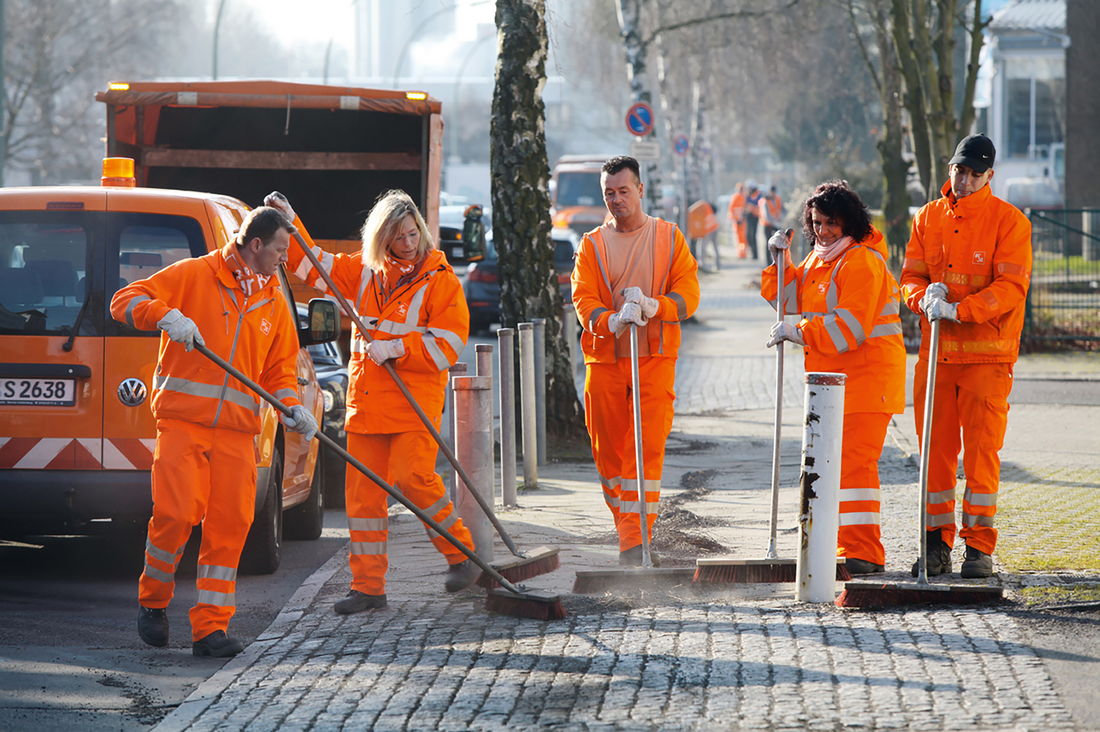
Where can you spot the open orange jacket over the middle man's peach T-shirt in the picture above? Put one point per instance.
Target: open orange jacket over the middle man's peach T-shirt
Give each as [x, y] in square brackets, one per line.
[675, 286]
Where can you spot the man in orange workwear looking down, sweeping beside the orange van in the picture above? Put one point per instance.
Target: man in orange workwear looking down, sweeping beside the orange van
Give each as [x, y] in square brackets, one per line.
[205, 462]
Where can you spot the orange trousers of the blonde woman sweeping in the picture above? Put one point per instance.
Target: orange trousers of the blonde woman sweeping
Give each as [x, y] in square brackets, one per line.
[406, 462]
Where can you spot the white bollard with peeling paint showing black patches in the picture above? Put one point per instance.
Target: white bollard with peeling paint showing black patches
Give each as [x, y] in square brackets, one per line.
[819, 519]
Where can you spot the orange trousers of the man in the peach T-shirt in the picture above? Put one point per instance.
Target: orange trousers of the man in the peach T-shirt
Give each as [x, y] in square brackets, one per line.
[609, 414]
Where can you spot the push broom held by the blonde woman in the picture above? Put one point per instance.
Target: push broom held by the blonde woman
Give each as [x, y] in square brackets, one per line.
[524, 565]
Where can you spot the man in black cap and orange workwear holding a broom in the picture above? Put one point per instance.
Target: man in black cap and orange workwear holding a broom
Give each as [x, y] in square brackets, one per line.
[969, 265]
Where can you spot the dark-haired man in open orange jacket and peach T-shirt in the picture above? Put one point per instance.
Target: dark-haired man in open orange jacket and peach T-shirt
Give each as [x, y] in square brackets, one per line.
[636, 269]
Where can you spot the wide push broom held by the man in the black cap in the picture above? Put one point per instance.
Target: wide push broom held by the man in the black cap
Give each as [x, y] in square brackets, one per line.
[921, 593]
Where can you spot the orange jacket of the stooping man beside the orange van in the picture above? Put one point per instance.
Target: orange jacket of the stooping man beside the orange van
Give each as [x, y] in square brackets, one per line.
[255, 334]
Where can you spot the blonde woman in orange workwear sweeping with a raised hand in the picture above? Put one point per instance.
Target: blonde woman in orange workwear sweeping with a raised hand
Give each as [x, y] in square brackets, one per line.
[408, 294]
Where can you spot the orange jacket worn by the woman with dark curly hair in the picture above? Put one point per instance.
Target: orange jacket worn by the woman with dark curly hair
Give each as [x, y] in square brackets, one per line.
[851, 322]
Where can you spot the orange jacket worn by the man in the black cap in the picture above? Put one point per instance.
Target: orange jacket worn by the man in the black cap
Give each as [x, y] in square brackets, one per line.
[981, 248]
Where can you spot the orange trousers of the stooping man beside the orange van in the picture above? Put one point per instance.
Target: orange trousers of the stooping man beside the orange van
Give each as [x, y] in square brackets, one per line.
[208, 476]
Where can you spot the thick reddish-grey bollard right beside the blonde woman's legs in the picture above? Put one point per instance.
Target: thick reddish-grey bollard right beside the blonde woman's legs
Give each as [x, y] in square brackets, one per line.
[474, 431]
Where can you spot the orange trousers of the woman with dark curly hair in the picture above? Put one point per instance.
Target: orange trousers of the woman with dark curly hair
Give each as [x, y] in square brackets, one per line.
[861, 534]
